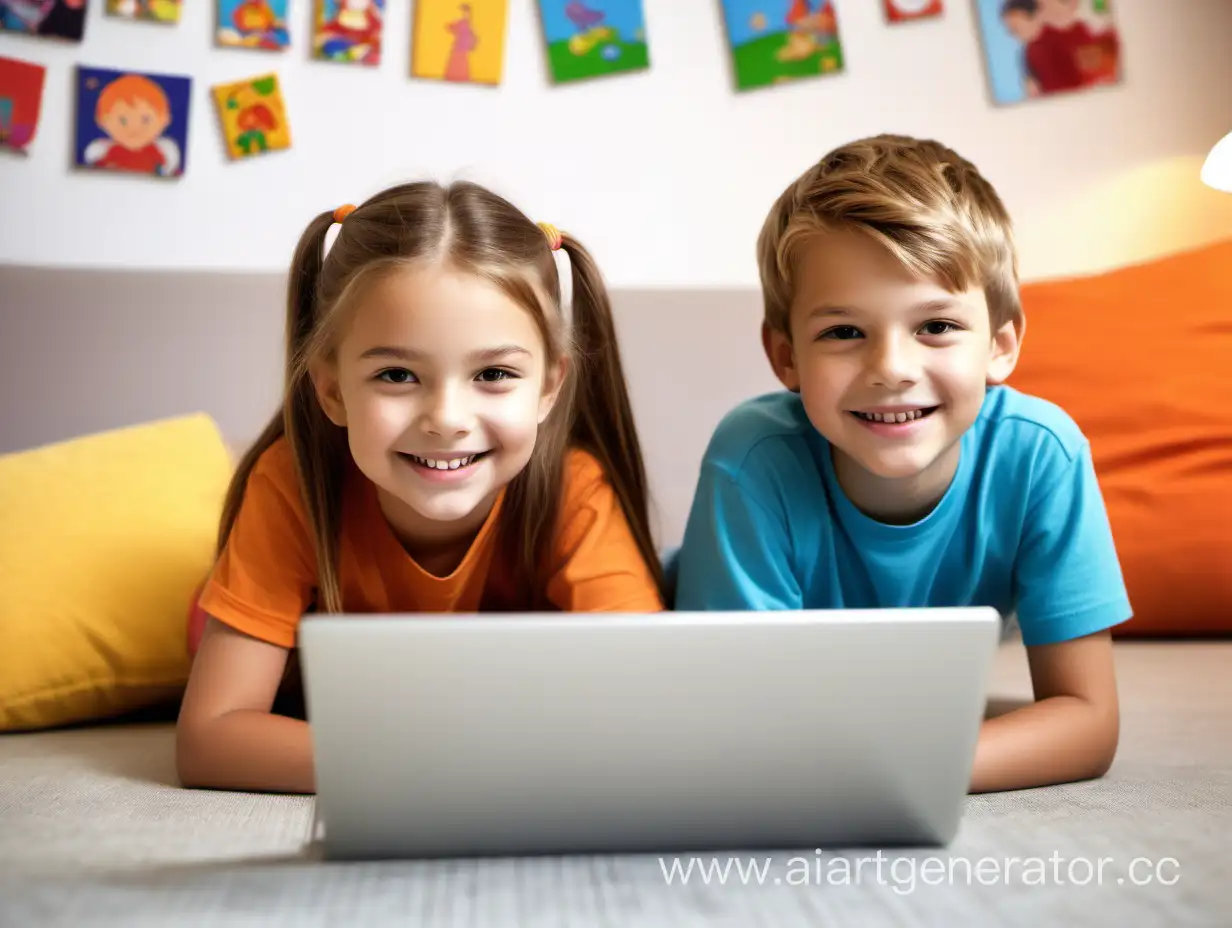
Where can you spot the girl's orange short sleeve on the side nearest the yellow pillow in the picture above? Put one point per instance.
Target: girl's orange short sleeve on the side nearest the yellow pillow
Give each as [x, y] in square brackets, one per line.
[265, 577]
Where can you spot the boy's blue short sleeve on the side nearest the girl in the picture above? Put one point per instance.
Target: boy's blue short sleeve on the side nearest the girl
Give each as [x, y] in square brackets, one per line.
[736, 555]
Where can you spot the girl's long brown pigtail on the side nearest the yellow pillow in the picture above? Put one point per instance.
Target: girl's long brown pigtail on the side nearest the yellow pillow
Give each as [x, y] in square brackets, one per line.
[317, 446]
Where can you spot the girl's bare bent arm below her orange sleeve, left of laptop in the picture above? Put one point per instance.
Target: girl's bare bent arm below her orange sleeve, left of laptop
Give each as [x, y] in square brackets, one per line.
[226, 736]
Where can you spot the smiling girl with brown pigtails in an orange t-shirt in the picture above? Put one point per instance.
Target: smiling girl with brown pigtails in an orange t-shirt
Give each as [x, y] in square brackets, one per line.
[448, 443]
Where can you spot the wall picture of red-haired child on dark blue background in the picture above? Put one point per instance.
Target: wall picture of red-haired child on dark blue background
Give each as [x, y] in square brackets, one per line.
[132, 123]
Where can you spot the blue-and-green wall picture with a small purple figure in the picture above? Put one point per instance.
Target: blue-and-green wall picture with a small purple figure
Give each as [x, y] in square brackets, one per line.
[588, 39]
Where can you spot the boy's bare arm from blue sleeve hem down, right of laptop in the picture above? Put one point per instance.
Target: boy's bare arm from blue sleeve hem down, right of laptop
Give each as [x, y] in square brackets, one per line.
[1069, 734]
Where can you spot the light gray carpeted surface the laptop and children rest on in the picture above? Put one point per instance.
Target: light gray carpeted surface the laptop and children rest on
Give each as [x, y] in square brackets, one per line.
[94, 831]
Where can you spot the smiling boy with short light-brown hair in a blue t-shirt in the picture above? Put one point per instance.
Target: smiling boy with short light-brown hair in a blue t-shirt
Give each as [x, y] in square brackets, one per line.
[896, 470]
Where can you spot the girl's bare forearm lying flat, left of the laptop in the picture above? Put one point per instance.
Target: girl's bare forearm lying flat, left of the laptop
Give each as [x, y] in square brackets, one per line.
[247, 751]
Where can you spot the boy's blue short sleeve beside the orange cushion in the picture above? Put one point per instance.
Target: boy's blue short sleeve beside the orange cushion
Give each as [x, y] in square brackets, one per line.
[1069, 577]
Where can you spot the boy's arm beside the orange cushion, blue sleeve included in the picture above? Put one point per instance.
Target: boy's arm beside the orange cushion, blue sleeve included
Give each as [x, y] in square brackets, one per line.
[1070, 593]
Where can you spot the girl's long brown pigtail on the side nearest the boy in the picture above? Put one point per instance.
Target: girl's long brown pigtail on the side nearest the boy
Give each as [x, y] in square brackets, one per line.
[603, 416]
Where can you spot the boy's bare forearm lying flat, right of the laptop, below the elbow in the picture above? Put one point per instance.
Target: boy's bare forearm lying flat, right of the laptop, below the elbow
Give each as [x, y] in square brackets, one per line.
[1058, 740]
